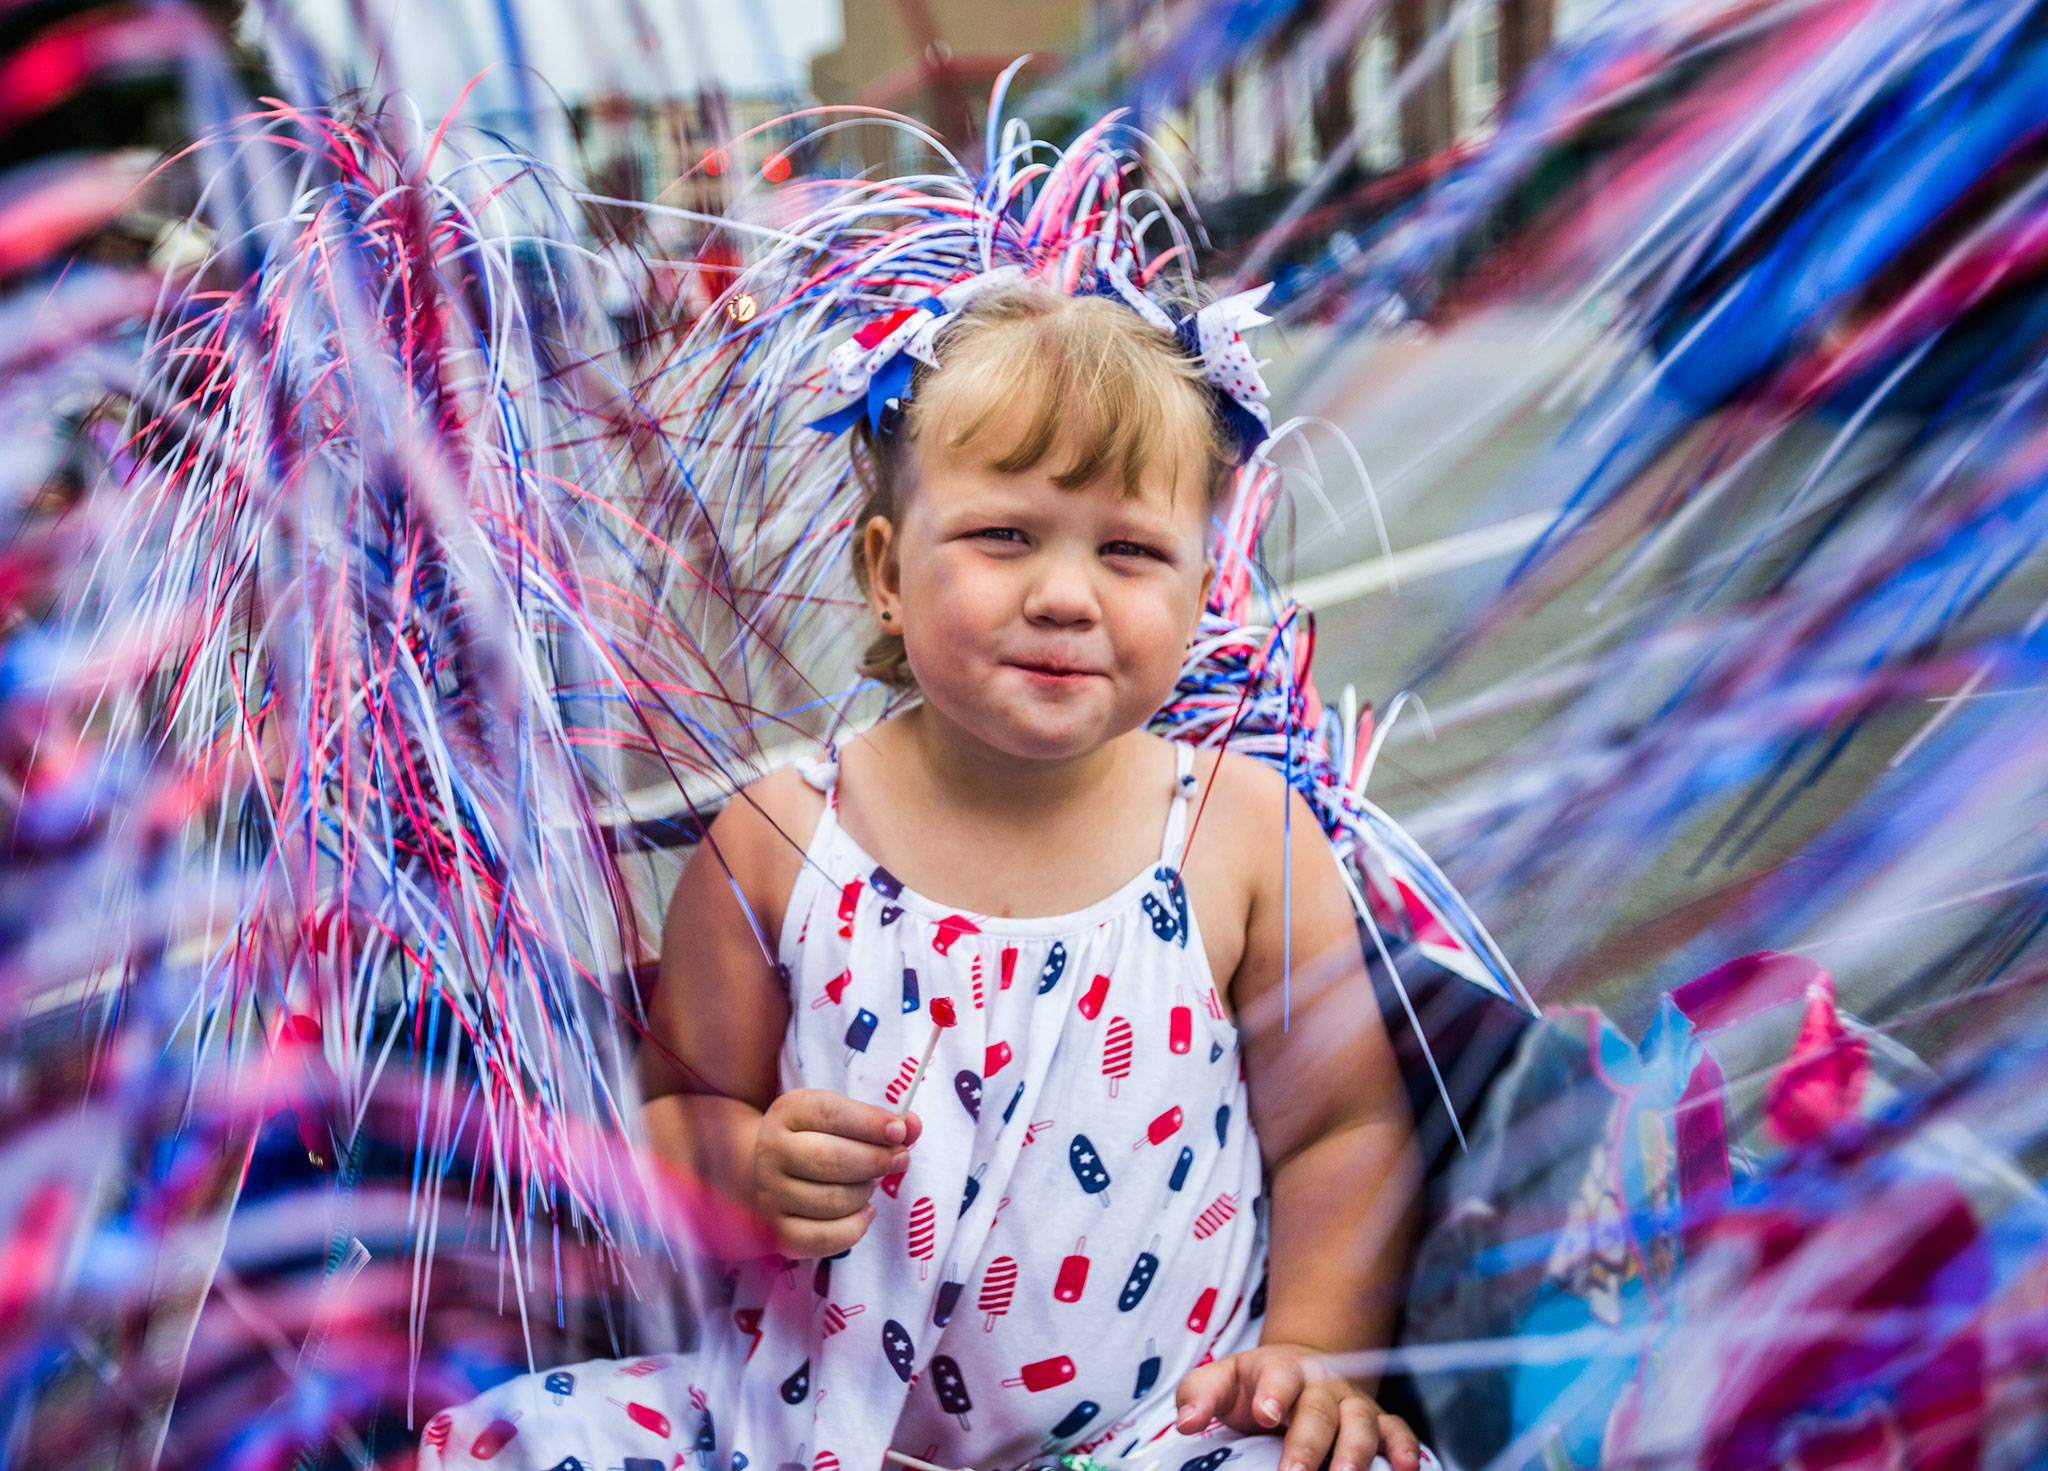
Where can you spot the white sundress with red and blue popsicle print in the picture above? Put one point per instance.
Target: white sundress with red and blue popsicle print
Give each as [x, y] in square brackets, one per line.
[1080, 1226]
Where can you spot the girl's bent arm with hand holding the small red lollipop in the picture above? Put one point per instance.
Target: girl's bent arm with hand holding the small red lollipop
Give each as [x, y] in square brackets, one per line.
[806, 1161]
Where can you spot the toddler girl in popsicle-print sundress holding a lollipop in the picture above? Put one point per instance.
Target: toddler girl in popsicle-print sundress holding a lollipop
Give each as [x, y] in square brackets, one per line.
[1127, 1212]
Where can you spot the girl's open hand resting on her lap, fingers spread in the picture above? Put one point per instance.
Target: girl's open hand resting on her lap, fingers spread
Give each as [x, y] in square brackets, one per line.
[1283, 1386]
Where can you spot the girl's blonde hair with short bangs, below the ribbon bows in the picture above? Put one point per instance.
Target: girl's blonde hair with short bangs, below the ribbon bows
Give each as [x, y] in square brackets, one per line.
[1097, 376]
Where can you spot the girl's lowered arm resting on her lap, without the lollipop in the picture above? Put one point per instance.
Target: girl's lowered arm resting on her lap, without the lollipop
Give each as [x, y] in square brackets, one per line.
[1340, 1154]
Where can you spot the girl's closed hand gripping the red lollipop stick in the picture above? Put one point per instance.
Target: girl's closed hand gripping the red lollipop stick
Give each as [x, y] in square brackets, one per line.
[816, 1163]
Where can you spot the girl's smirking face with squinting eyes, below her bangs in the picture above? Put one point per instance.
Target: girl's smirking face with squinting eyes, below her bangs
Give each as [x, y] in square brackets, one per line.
[1043, 622]
